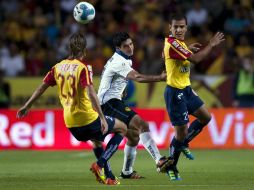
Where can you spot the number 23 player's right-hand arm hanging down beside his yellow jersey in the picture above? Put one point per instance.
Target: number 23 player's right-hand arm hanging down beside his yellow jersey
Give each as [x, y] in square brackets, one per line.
[96, 105]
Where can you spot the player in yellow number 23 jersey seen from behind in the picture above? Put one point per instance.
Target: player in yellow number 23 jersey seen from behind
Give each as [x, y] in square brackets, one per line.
[82, 112]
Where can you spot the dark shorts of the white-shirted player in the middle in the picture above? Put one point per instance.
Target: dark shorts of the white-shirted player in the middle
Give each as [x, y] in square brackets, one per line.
[117, 109]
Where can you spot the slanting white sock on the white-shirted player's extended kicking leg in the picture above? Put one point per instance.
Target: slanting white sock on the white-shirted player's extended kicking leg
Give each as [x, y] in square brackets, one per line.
[147, 141]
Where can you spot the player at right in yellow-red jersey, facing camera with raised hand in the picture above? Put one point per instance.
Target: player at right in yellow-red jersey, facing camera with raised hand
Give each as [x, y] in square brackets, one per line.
[180, 99]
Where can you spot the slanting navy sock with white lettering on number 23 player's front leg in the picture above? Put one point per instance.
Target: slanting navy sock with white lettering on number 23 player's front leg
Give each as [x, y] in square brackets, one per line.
[111, 148]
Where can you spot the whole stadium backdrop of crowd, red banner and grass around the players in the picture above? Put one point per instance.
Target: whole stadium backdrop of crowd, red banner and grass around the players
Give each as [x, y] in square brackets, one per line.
[33, 37]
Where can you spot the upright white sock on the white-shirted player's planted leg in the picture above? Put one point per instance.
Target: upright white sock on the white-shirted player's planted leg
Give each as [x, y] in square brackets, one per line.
[129, 158]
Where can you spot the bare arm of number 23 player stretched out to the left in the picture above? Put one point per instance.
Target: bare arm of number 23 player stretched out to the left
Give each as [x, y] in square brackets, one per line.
[22, 112]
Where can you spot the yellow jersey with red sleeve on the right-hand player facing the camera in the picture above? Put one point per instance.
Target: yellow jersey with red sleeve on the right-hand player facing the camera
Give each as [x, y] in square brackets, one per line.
[176, 54]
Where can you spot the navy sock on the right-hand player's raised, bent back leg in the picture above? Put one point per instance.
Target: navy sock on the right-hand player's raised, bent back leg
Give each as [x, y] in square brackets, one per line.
[194, 129]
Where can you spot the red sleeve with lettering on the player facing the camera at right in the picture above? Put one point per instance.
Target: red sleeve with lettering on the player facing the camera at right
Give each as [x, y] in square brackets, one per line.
[177, 50]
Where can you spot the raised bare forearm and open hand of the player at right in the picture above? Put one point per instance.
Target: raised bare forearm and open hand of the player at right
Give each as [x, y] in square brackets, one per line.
[215, 40]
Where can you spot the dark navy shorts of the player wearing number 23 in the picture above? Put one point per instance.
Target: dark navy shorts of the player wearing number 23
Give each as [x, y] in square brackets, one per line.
[92, 131]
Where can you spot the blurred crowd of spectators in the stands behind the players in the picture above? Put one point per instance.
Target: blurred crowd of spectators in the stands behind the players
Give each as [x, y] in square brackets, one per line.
[34, 33]
